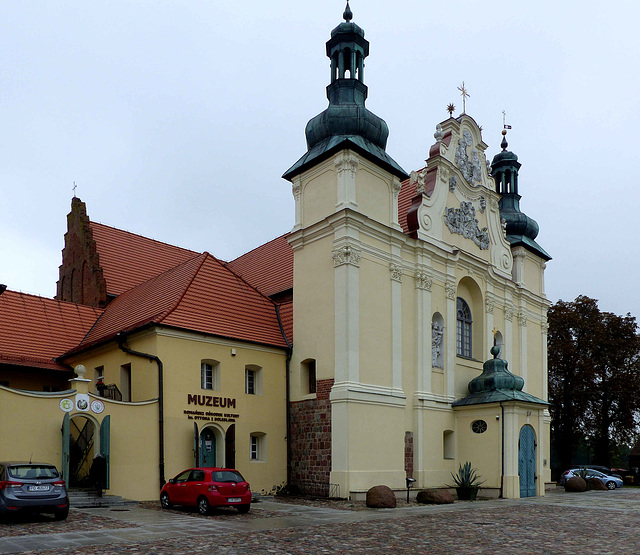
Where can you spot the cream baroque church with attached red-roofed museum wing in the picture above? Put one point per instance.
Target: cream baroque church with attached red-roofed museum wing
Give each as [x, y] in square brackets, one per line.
[349, 352]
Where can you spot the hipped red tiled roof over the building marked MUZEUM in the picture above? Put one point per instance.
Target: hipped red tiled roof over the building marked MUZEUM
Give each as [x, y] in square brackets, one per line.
[201, 295]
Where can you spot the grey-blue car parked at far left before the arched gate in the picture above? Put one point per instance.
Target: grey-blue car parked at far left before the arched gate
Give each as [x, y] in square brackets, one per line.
[32, 487]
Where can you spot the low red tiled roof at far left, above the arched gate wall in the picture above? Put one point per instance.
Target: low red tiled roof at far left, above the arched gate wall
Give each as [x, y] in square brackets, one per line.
[35, 329]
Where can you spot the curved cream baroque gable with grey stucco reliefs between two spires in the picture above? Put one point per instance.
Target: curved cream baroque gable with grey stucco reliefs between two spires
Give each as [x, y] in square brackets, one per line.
[456, 202]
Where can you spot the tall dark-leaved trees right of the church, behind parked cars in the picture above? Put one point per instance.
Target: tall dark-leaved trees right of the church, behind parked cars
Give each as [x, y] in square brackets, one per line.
[594, 379]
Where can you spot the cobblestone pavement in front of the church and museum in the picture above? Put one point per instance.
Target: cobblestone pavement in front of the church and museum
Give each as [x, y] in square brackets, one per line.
[591, 522]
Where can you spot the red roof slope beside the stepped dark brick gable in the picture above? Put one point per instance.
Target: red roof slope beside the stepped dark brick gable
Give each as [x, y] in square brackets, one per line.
[128, 259]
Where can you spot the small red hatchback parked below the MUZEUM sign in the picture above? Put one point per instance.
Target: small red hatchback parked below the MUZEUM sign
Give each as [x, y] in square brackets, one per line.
[207, 487]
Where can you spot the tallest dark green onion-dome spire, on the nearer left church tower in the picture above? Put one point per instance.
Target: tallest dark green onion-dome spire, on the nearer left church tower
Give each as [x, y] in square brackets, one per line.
[346, 123]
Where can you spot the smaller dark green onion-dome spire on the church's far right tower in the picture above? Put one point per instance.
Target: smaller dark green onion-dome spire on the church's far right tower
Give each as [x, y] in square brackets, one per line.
[521, 229]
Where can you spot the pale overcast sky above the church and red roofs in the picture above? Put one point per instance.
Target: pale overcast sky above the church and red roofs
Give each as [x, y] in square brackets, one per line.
[176, 119]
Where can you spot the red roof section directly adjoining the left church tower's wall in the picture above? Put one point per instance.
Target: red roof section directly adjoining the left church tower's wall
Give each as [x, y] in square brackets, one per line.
[269, 267]
